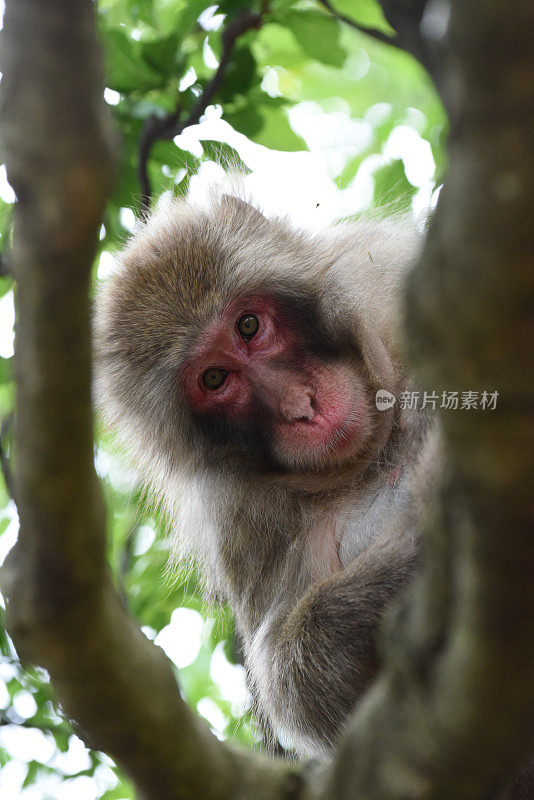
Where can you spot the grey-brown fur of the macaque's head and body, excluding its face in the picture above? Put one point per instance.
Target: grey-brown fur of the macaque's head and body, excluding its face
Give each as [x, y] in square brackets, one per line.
[307, 557]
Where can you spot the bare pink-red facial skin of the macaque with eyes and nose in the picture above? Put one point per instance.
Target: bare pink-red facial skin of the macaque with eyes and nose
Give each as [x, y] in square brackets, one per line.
[252, 364]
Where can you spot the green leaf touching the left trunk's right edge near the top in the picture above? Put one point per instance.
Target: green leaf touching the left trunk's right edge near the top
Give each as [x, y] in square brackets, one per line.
[126, 70]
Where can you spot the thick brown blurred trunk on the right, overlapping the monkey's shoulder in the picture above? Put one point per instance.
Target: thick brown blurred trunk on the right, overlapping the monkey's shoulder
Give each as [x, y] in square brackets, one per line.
[453, 712]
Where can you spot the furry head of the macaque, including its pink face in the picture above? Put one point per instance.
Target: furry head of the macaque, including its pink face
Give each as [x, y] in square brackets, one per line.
[232, 343]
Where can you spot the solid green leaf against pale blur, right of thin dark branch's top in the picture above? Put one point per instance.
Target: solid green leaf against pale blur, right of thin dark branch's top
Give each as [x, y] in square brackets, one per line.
[318, 35]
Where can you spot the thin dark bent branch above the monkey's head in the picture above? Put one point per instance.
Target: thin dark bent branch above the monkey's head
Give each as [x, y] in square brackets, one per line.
[170, 125]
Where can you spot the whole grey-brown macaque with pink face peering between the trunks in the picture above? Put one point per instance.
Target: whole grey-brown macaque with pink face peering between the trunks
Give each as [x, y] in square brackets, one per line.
[241, 359]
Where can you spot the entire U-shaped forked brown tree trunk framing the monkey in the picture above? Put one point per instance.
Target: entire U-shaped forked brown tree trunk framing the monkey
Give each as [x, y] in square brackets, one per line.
[453, 709]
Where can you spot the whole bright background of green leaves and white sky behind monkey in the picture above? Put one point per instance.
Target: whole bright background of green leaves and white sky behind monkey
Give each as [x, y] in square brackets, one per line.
[327, 122]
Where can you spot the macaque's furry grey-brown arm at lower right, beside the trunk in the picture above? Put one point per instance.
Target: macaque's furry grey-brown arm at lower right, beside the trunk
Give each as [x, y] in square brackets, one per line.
[325, 650]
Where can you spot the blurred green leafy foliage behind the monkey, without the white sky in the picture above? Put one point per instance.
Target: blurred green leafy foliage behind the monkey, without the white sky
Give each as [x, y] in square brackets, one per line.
[160, 55]
